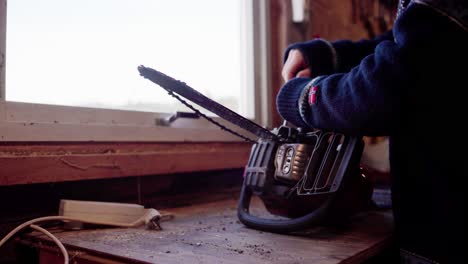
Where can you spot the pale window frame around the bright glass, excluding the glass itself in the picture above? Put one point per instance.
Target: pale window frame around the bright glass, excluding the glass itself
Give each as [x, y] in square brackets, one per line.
[30, 122]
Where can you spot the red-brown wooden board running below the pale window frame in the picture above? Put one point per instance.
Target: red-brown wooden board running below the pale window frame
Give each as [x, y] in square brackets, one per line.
[69, 162]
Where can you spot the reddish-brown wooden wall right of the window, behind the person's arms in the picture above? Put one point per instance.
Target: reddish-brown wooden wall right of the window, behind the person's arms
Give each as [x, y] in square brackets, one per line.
[328, 19]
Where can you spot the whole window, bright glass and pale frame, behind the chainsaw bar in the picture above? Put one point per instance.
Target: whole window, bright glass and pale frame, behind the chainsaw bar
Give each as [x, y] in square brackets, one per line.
[70, 69]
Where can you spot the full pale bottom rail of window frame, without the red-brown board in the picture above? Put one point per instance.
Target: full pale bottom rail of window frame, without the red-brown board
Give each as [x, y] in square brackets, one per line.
[27, 122]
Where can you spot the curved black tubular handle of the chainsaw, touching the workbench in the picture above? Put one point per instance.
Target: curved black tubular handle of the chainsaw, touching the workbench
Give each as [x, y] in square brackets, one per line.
[279, 226]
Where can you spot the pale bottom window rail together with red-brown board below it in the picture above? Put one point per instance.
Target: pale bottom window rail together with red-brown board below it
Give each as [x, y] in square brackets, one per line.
[47, 143]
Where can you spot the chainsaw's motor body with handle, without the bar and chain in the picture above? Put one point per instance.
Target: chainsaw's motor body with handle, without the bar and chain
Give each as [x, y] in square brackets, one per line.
[316, 173]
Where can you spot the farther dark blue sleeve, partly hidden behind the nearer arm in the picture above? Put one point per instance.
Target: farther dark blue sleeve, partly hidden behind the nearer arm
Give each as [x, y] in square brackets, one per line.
[325, 57]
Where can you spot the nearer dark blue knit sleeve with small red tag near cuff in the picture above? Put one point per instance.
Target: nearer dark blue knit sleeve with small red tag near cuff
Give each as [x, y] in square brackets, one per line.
[363, 101]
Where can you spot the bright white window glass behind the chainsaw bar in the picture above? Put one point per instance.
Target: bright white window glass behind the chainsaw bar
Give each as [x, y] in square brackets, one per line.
[86, 52]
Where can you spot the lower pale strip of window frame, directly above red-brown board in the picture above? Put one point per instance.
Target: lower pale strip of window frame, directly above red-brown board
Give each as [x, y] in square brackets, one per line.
[46, 132]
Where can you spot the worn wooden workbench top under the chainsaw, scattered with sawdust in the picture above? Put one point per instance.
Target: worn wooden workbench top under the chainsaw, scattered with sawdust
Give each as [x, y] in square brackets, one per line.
[211, 233]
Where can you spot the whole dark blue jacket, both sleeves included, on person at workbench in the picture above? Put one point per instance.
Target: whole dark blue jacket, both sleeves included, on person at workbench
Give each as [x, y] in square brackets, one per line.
[407, 84]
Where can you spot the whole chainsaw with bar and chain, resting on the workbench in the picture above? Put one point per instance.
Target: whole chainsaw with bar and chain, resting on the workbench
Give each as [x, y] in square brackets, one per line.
[305, 177]
